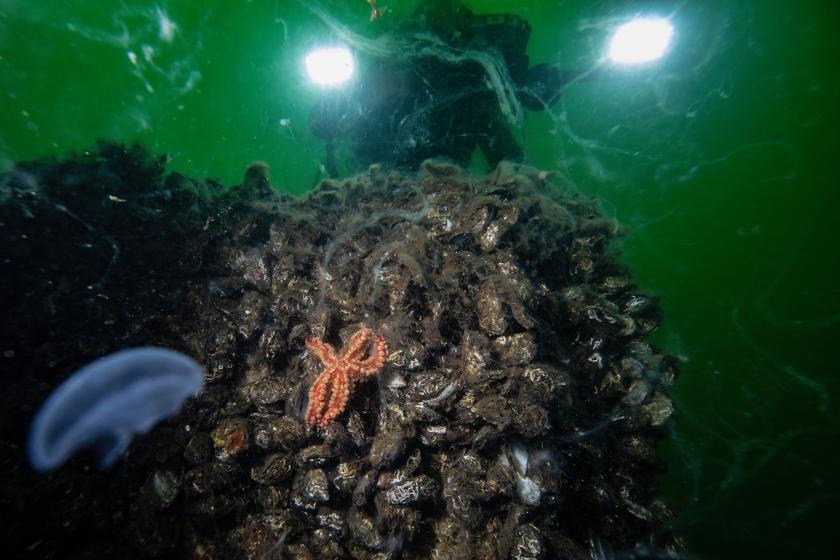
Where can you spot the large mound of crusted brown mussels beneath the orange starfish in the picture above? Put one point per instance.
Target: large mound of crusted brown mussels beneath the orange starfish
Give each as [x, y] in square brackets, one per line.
[517, 416]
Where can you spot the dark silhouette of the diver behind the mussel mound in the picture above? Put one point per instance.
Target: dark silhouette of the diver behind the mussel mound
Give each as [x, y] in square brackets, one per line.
[441, 99]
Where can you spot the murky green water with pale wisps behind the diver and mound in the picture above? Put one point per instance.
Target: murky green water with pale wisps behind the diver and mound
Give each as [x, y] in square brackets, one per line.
[720, 158]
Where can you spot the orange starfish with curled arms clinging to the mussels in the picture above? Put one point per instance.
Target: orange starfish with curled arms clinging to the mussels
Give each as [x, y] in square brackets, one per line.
[330, 393]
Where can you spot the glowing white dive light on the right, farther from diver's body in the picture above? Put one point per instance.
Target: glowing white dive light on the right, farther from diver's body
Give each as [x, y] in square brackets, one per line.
[640, 40]
